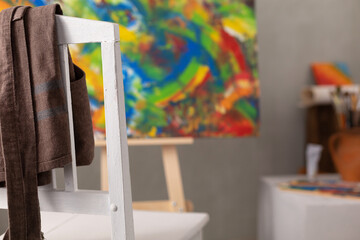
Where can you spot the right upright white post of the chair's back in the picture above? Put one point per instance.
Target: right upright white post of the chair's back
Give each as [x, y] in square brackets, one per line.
[121, 211]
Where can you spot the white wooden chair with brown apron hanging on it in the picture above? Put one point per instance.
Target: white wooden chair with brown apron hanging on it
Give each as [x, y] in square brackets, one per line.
[83, 214]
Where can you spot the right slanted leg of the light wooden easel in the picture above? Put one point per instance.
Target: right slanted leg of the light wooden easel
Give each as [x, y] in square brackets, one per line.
[173, 178]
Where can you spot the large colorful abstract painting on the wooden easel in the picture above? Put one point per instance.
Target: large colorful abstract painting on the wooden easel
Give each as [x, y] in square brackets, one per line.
[190, 66]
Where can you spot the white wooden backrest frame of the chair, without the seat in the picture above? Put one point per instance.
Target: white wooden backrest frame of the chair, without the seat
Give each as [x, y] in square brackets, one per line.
[118, 201]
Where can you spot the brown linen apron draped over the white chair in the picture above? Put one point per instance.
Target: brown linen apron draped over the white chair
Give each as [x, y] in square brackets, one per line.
[34, 125]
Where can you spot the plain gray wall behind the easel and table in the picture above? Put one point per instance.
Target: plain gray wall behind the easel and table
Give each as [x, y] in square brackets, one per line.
[221, 175]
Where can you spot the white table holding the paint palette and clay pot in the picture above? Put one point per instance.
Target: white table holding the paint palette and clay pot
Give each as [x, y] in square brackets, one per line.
[288, 215]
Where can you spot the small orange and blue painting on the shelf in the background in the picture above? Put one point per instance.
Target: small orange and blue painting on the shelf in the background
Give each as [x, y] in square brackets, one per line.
[328, 73]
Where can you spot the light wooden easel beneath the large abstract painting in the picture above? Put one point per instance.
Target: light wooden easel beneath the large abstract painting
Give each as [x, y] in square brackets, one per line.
[176, 201]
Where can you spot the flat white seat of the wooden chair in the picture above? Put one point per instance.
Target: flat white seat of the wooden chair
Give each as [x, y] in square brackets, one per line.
[148, 226]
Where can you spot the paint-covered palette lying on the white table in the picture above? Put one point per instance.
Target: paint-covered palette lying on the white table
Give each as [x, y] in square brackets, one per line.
[329, 188]
